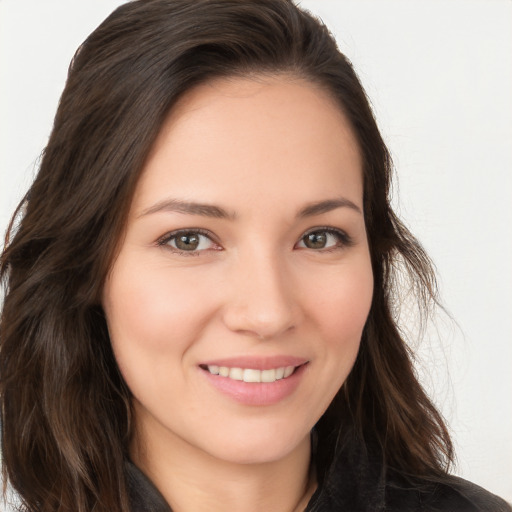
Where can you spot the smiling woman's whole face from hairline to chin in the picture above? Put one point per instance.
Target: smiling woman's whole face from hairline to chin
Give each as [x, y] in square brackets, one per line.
[241, 289]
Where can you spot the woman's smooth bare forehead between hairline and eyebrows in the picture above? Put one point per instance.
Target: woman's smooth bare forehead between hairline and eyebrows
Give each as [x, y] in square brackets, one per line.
[246, 138]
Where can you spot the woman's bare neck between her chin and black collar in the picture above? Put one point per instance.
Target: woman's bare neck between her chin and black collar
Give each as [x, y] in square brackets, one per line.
[193, 480]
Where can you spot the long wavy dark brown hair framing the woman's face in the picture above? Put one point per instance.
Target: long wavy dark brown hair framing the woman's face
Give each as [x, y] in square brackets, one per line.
[66, 414]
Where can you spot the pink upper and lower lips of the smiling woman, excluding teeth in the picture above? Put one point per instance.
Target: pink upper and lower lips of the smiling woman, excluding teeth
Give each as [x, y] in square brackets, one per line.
[257, 393]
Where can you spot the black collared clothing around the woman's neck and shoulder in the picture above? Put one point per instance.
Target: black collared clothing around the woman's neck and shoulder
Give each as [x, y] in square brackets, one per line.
[354, 482]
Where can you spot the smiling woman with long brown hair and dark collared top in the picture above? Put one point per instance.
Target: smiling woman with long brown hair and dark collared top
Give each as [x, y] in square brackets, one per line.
[200, 286]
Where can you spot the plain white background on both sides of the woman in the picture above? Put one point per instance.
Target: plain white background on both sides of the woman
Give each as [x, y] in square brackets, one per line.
[439, 74]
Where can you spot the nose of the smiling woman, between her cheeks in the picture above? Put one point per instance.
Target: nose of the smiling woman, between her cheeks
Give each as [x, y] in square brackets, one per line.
[262, 299]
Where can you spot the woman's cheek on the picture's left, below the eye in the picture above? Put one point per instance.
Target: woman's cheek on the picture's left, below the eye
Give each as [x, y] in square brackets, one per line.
[151, 313]
